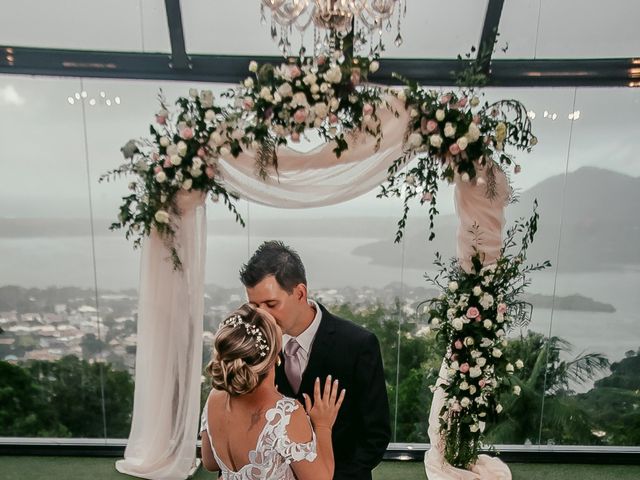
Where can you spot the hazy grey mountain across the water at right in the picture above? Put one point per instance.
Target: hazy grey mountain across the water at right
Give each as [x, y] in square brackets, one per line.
[596, 223]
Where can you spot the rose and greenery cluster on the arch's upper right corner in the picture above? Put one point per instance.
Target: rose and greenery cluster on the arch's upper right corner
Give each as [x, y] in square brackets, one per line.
[453, 135]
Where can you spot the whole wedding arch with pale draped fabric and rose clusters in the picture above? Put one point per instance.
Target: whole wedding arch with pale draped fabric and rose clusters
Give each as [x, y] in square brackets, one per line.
[241, 150]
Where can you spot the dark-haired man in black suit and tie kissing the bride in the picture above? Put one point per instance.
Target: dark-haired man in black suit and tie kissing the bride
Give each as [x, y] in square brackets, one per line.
[316, 344]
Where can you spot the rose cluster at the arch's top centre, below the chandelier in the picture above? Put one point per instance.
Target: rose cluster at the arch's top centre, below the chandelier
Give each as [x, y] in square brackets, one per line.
[276, 104]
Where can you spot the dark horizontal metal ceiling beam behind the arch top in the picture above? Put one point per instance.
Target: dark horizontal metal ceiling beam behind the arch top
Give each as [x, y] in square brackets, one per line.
[614, 72]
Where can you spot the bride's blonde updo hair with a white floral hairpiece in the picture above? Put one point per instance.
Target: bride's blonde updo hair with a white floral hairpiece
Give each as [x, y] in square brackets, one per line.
[245, 348]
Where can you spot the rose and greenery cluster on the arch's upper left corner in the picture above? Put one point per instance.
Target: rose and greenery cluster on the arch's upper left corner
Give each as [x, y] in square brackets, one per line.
[179, 157]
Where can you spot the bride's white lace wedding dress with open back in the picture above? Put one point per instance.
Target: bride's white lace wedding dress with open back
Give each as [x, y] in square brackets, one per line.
[274, 451]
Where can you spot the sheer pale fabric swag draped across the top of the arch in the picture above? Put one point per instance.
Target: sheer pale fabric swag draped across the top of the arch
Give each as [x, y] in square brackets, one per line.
[317, 178]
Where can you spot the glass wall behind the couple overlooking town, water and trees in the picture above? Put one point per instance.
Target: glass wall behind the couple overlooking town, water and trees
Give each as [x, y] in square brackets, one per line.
[68, 286]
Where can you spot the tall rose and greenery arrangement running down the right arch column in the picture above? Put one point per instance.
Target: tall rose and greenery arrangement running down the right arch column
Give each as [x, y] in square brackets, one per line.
[471, 318]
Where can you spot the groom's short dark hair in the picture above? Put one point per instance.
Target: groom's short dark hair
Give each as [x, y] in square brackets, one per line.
[277, 259]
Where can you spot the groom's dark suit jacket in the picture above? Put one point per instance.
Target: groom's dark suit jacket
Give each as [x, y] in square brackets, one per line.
[351, 354]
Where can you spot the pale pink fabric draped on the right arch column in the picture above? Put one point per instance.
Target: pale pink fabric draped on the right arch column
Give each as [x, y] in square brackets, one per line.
[481, 218]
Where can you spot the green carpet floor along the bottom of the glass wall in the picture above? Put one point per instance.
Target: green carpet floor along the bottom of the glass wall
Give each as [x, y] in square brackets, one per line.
[80, 468]
